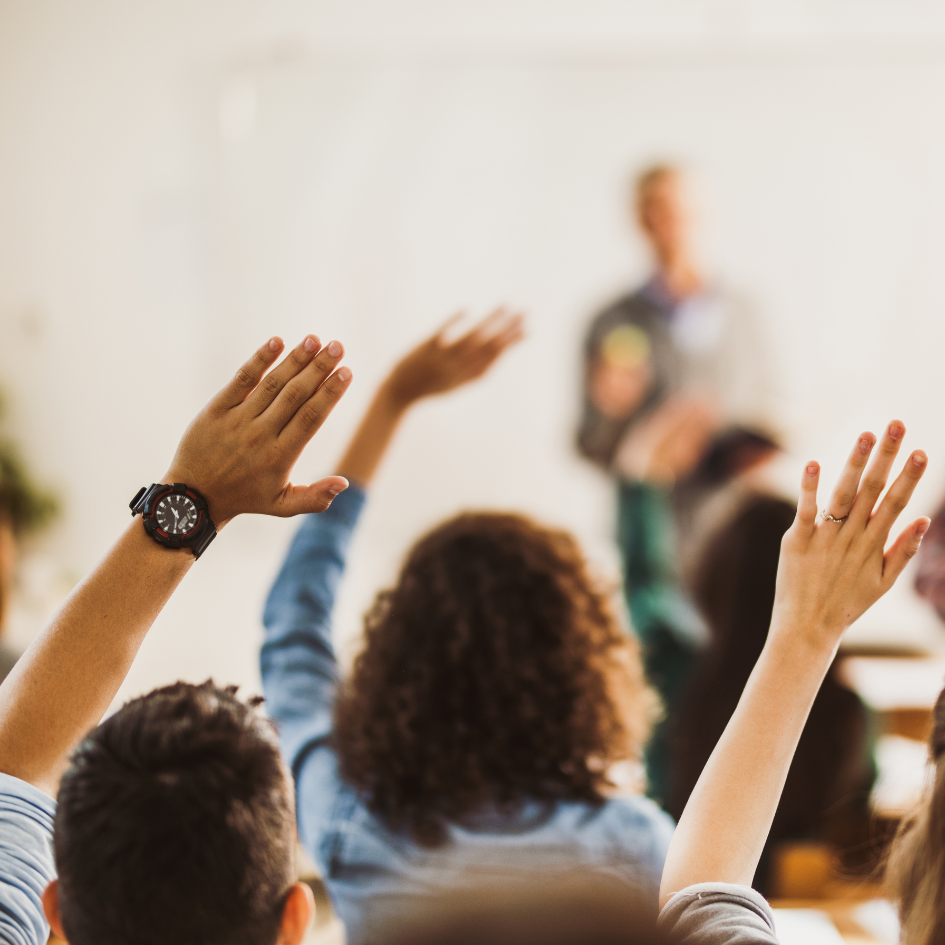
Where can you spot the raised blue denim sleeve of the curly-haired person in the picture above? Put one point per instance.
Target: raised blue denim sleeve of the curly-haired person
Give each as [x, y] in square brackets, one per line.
[299, 669]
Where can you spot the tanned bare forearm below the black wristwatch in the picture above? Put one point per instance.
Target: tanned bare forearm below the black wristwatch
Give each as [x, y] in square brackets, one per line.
[96, 635]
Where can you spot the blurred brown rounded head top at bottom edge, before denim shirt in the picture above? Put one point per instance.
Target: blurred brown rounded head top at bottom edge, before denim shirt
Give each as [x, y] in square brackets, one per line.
[596, 910]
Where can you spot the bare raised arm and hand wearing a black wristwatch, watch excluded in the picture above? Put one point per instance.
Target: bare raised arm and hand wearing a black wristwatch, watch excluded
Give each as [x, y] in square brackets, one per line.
[238, 452]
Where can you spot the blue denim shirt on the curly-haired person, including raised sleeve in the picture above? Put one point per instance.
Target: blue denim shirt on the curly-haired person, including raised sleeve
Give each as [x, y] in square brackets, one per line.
[370, 870]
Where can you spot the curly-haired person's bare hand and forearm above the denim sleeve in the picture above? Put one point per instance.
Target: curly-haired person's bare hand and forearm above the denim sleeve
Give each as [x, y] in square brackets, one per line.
[433, 367]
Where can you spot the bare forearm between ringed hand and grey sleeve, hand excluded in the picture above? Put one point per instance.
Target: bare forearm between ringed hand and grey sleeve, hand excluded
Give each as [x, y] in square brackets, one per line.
[723, 829]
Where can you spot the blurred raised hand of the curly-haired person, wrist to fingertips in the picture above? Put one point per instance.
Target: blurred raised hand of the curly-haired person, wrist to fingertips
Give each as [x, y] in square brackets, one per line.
[438, 365]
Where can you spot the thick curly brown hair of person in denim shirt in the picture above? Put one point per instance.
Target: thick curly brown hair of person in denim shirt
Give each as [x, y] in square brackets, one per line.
[495, 671]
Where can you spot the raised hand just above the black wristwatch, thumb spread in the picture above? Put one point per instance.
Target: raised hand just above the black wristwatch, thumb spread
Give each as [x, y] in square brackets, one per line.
[240, 449]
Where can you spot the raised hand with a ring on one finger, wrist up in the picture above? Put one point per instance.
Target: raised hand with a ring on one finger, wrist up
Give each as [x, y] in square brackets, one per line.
[834, 567]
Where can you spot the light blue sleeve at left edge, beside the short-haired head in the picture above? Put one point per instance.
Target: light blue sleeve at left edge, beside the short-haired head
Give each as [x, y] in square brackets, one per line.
[26, 861]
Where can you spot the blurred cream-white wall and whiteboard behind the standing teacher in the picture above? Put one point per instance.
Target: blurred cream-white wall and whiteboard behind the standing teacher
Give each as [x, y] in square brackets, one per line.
[179, 181]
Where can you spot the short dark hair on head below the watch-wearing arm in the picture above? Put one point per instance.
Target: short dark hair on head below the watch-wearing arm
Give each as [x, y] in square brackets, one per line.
[175, 823]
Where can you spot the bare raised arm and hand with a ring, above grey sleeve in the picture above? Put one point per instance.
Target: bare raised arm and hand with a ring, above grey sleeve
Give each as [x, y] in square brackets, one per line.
[832, 569]
